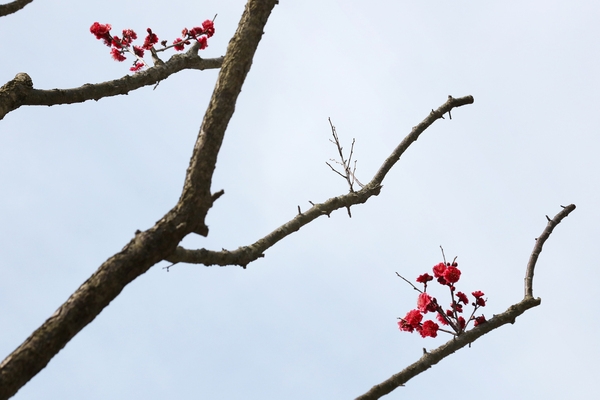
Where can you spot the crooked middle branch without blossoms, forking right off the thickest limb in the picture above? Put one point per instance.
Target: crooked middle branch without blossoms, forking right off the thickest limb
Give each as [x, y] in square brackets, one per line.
[246, 254]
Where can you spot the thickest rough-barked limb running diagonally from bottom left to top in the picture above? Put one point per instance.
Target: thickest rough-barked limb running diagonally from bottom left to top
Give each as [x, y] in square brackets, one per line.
[149, 247]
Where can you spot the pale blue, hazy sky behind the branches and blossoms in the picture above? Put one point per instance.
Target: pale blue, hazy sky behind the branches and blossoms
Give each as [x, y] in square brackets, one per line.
[317, 317]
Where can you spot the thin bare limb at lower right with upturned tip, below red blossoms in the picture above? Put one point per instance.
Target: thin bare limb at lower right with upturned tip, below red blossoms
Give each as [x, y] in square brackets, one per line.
[429, 359]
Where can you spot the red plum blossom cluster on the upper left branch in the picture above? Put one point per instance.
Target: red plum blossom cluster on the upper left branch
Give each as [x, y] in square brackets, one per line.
[119, 46]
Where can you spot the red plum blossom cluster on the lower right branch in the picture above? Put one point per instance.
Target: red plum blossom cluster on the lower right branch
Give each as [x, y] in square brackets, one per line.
[446, 274]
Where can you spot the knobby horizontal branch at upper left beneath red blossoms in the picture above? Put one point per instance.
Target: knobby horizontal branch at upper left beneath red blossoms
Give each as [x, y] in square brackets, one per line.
[20, 92]
